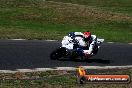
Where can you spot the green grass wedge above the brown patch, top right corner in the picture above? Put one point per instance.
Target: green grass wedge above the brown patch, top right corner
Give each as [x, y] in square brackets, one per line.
[118, 6]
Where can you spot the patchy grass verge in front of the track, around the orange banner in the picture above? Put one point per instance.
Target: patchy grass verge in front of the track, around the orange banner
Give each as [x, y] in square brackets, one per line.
[57, 79]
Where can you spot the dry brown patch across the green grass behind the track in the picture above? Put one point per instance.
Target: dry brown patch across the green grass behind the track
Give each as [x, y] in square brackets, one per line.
[81, 14]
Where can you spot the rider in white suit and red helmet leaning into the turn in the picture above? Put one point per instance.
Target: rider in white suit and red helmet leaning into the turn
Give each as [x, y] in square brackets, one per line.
[87, 42]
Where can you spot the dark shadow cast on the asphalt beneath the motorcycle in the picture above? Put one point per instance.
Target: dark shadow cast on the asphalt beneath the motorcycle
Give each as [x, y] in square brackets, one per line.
[98, 60]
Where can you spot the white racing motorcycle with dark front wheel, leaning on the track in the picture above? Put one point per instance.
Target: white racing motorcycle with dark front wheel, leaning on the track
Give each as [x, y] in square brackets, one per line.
[70, 49]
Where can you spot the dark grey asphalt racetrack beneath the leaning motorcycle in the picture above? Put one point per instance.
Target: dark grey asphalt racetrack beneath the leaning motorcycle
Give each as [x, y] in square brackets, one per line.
[30, 54]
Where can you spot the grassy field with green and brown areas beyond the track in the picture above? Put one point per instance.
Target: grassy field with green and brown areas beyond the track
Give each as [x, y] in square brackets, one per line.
[38, 19]
